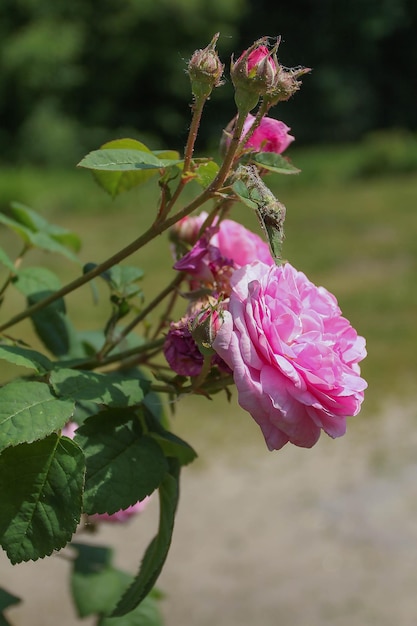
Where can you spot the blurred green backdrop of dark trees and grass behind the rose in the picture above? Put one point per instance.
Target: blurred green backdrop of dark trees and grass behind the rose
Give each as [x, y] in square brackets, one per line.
[74, 75]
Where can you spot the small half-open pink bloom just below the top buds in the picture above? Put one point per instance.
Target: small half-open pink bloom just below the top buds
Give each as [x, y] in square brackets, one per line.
[271, 135]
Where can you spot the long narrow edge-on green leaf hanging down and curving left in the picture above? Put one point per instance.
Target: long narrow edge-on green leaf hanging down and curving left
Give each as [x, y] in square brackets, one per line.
[157, 550]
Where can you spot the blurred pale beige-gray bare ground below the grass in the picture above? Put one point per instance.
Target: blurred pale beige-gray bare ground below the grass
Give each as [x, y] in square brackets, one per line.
[321, 537]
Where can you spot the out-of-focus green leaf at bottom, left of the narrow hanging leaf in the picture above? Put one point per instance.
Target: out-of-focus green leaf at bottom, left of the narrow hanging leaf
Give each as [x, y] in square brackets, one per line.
[95, 584]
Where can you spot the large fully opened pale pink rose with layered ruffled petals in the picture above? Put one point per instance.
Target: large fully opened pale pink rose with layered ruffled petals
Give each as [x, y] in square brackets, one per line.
[294, 357]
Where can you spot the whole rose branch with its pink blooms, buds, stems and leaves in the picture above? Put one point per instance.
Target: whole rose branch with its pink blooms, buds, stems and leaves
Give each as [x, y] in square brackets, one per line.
[85, 436]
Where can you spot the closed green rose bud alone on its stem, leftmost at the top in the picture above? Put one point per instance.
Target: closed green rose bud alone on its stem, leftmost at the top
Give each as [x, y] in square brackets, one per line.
[205, 70]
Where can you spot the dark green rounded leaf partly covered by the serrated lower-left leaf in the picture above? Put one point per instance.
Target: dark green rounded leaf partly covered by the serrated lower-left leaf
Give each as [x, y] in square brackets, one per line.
[123, 465]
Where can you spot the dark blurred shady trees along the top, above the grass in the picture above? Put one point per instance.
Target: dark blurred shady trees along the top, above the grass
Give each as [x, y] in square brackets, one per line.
[73, 75]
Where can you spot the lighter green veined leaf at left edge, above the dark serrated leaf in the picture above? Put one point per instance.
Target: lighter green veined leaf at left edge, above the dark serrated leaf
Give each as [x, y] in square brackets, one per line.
[29, 411]
